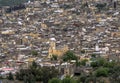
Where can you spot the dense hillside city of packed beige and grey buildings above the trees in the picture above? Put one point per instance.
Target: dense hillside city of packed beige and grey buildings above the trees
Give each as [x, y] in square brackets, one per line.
[56, 26]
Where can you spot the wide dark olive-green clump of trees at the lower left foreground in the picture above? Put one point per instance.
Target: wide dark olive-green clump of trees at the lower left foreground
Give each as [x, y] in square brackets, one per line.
[36, 73]
